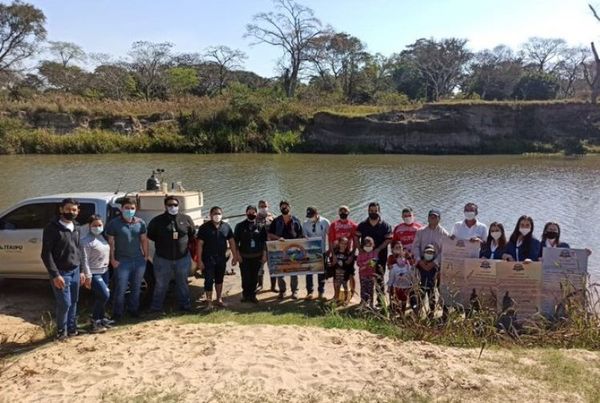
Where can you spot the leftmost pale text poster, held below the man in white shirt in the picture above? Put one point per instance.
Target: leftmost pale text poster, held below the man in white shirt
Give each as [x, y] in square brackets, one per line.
[452, 272]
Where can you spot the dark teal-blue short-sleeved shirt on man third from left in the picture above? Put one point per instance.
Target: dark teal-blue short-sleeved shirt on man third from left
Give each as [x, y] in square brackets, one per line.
[127, 237]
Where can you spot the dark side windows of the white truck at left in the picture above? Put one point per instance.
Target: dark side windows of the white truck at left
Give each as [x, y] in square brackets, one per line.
[38, 215]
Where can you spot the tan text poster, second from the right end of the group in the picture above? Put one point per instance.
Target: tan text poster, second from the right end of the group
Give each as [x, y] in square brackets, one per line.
[519, 287]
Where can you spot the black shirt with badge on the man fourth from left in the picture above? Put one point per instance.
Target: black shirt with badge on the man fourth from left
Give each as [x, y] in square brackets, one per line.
[171, 235]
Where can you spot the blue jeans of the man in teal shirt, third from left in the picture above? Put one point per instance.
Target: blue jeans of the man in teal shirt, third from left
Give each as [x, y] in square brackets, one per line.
[130, 272]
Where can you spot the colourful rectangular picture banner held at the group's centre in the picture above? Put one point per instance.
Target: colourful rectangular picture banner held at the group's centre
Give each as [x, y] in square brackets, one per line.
[295, 256]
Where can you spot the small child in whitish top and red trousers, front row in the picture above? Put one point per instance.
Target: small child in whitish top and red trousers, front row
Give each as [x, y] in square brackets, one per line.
[400, 282]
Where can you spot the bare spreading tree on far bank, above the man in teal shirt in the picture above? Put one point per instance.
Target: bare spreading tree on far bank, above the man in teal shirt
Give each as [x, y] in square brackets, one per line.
[148, 63]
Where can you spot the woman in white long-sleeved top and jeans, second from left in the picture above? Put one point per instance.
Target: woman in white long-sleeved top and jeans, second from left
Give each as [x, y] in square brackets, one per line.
[95, 258]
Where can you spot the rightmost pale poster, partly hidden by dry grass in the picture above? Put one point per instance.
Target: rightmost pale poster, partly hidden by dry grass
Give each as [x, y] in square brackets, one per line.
[564, 273]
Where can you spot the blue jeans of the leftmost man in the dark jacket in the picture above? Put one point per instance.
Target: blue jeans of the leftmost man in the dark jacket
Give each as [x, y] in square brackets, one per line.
[66, 301]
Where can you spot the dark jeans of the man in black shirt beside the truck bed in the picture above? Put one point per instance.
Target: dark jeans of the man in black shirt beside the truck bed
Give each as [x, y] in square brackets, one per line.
[164, 269]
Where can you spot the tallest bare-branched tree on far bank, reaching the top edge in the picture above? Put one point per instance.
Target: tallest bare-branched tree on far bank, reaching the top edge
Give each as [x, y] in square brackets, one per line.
[292, 29]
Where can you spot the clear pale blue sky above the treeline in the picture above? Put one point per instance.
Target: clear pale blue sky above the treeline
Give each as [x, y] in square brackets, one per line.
[386, 26]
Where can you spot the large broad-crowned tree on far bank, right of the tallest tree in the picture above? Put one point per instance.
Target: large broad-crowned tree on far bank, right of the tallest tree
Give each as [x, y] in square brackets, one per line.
[440, 63]
